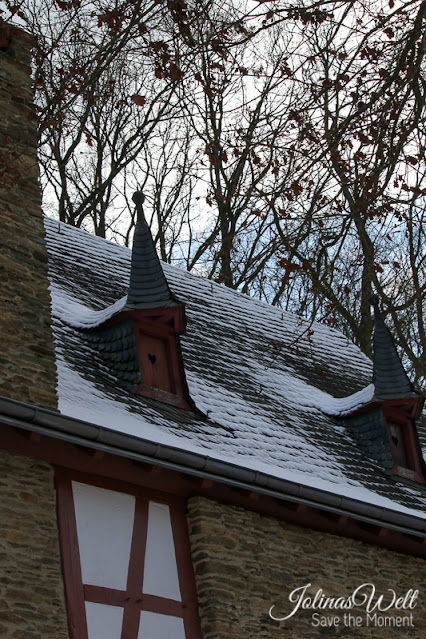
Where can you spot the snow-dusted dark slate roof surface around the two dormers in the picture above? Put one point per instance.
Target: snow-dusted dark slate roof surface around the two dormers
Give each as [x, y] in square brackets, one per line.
[272, 389]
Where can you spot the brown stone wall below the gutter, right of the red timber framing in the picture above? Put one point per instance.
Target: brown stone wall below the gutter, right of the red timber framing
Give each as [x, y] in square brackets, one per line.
[245, 563]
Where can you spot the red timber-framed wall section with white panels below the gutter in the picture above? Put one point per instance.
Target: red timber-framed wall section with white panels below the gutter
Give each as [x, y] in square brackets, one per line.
[127, 567]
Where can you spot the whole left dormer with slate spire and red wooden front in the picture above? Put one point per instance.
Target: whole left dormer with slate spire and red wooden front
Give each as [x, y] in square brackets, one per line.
[139, 343]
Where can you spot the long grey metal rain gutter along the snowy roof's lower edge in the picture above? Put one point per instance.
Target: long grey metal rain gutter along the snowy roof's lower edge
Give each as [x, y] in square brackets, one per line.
[69, 429]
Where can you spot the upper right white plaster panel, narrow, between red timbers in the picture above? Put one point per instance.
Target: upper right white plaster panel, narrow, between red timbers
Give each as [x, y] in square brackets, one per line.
[160, 574]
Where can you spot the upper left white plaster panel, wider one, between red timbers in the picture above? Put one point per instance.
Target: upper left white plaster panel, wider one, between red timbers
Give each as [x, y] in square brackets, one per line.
[104, 528]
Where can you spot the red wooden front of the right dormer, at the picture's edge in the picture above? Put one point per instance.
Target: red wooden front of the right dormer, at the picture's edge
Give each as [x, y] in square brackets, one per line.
[399, 419]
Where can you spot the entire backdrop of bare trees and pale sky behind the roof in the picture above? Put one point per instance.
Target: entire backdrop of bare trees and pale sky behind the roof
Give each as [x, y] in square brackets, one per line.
[281, 145]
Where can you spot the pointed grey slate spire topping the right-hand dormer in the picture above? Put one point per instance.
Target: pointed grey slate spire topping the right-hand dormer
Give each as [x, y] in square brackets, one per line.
[389, 377]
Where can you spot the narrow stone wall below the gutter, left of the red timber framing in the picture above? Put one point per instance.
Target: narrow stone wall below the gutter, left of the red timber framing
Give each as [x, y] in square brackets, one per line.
[32, 604]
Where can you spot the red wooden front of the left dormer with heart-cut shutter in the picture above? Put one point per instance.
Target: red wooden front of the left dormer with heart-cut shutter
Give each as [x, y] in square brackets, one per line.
[156, 335]
